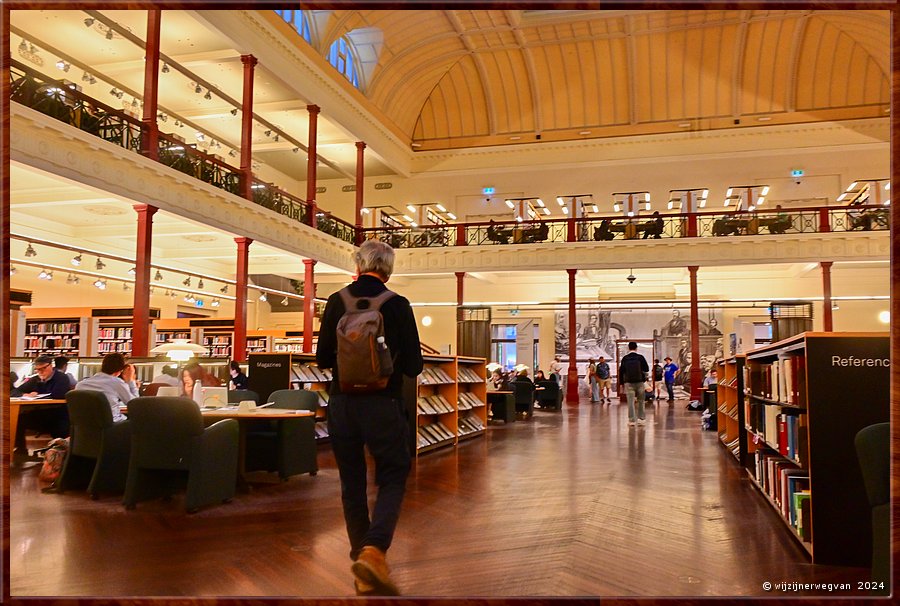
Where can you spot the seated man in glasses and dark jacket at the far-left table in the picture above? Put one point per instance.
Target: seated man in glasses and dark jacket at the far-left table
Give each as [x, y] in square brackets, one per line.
[52, 420]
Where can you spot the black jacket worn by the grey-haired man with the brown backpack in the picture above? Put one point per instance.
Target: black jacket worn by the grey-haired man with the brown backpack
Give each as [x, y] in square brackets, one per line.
[400, 334]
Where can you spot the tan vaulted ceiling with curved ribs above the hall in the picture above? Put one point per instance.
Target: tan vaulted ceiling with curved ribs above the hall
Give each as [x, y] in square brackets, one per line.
[461, 78]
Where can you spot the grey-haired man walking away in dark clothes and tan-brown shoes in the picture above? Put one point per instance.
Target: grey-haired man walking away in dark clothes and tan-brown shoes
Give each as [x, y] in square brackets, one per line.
[376, 420]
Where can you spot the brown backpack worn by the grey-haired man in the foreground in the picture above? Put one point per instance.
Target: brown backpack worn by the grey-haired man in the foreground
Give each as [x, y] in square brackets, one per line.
[363, 359]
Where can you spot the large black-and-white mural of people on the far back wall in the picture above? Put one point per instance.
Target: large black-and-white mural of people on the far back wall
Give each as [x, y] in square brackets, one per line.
[597, 330]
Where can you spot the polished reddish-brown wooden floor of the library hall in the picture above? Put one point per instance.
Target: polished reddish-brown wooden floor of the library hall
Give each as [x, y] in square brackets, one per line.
[566, 504]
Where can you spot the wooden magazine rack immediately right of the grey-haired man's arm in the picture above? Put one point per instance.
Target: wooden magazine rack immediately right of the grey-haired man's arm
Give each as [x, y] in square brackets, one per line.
[436, 404]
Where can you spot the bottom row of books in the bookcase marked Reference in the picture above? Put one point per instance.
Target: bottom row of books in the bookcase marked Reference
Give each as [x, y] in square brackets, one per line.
[788, 486]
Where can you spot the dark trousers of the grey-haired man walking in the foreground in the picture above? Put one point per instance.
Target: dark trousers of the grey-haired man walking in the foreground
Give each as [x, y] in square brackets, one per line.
[380, 424]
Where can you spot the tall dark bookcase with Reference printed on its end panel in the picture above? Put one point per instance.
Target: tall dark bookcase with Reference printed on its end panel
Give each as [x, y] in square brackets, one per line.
[806, 398]
